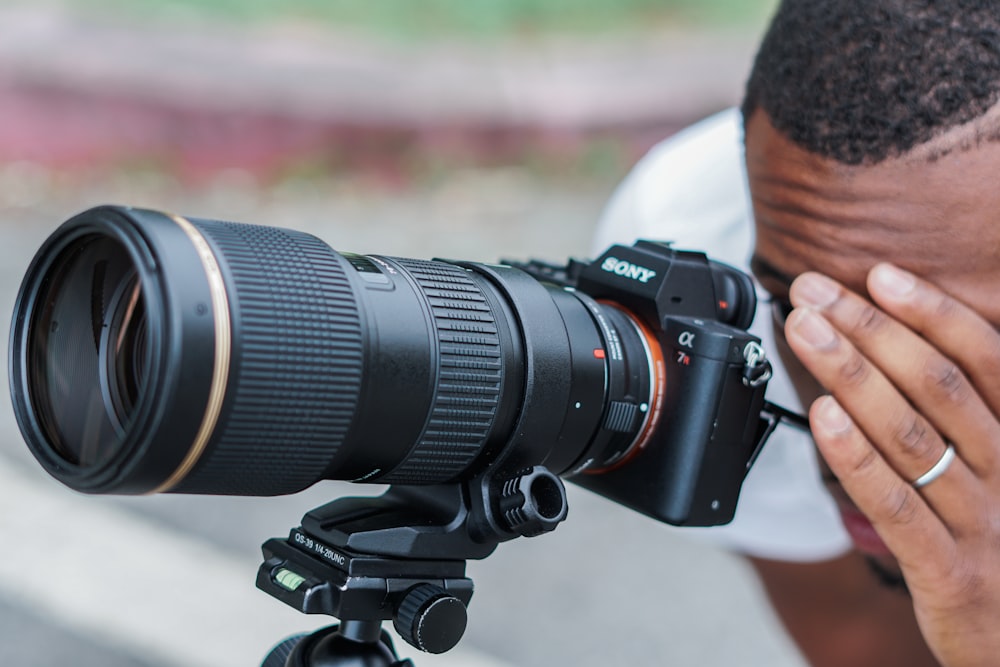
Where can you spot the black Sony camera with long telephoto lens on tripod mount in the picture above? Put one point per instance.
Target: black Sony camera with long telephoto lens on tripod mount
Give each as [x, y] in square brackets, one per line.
[156, 353]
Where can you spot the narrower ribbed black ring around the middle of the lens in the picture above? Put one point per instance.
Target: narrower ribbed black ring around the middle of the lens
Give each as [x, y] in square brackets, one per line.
[470, 369]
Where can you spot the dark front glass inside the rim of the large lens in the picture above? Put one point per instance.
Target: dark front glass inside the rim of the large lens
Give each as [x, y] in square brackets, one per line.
[88, 350]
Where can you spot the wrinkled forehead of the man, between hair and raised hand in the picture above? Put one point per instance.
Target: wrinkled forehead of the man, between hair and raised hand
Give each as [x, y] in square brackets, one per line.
[931, 217]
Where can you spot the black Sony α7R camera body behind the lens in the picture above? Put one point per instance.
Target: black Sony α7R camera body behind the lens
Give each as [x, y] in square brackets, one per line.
[690, 468]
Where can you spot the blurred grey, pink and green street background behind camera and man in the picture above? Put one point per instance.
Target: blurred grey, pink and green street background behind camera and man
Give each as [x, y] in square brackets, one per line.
[472, 129]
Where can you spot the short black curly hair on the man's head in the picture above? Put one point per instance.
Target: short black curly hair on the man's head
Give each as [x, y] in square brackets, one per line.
[860, 81]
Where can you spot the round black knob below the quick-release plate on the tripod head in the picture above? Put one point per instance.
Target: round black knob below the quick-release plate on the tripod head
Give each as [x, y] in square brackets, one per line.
[430, 619]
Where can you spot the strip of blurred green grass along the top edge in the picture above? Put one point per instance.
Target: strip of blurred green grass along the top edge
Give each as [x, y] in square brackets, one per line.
[416, 20]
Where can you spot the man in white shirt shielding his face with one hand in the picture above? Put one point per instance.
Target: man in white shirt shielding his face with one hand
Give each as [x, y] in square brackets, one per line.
[872, 155]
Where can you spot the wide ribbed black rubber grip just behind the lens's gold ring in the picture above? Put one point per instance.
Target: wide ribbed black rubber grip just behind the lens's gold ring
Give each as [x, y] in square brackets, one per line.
[297, 365]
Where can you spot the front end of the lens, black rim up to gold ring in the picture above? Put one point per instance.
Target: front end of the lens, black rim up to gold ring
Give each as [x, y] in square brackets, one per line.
[182, 351]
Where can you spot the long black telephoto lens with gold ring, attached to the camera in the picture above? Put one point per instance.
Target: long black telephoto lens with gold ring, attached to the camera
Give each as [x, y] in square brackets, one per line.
[152, 353]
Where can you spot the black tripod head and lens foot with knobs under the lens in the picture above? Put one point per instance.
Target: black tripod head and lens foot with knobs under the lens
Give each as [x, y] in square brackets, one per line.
[398, 557]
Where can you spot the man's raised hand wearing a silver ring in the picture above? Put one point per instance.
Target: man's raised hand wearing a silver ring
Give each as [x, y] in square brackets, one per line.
[908, 376]
